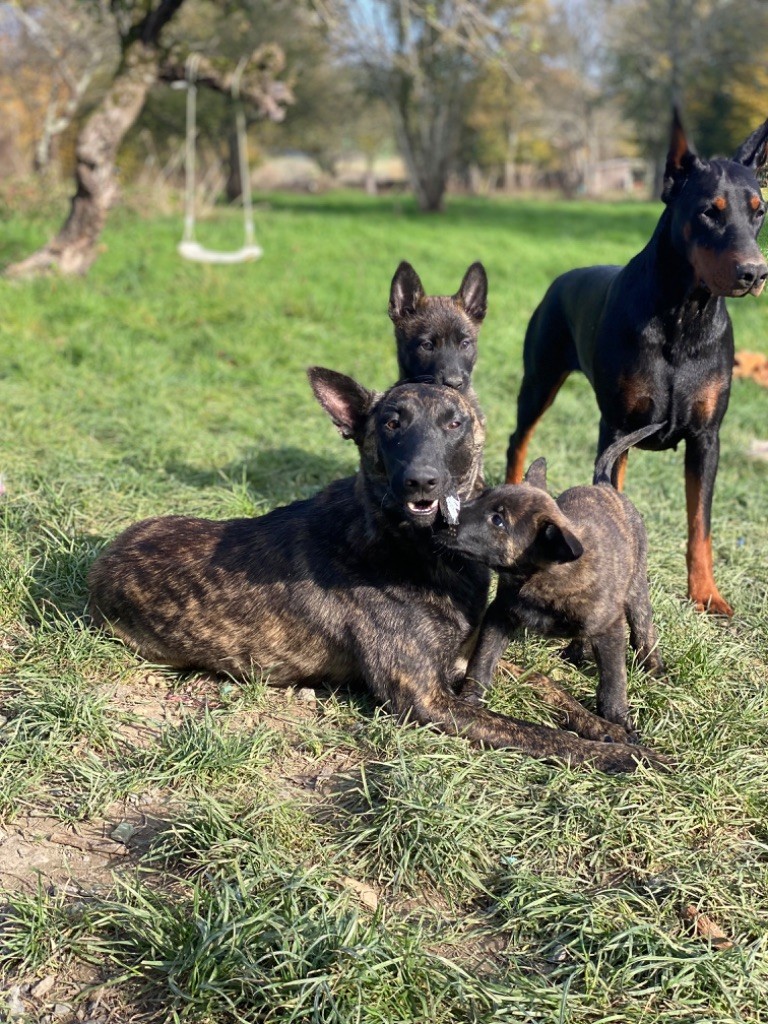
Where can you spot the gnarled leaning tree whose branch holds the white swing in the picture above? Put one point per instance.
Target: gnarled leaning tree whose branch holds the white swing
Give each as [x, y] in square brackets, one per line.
[147, 56]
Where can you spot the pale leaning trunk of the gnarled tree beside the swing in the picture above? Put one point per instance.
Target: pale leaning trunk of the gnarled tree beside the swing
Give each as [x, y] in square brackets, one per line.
[75, 248]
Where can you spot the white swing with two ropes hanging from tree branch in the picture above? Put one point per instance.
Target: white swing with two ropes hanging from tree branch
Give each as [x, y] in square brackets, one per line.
[190, 248]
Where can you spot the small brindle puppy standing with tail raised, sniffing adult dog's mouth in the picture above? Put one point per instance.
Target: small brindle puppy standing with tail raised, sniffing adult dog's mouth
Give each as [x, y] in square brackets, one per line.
[573, 568]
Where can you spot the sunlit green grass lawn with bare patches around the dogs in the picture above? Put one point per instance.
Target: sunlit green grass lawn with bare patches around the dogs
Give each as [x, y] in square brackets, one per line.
[189, 848]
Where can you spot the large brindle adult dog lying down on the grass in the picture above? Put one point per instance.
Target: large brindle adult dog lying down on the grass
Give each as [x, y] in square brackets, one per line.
[343, 587]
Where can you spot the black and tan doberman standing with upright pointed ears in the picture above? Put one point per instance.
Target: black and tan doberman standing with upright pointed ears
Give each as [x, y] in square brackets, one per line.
[655, 337]
